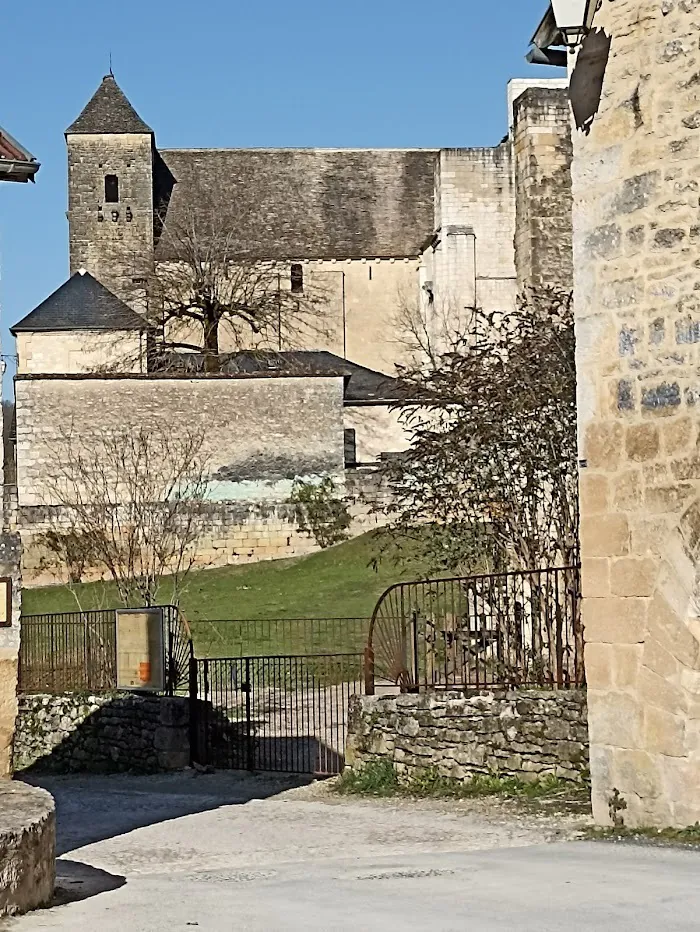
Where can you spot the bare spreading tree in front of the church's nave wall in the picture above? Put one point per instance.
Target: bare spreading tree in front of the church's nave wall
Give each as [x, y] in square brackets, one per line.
[209, 285]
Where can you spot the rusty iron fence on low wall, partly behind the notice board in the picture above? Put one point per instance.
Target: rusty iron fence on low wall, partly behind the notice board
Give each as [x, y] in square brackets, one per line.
[77, 651]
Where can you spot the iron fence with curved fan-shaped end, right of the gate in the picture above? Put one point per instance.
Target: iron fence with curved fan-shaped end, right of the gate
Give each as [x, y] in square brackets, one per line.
[500, 630]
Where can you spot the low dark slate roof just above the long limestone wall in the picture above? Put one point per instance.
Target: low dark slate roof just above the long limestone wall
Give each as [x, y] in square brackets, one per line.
[362, 385]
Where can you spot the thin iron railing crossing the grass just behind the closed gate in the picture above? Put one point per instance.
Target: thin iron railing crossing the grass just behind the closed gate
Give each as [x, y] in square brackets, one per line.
[278, 636]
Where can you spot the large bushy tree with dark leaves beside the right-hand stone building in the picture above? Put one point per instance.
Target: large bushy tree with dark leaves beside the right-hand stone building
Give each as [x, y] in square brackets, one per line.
[491, 473]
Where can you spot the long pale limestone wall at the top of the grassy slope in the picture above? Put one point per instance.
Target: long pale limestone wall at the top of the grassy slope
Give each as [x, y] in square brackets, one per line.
[259, 434]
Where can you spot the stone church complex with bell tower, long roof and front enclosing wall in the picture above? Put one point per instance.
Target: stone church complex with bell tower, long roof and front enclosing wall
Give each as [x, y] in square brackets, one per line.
[376, 231]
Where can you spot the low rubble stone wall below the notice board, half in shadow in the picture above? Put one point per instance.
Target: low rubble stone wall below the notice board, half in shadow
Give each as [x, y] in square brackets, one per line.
[119, 732]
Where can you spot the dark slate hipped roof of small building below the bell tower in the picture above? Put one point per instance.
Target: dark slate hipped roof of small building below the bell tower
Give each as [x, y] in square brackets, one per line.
[81, 303]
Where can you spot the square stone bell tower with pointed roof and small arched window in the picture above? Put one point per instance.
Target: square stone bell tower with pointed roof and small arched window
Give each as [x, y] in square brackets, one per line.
[110, 194]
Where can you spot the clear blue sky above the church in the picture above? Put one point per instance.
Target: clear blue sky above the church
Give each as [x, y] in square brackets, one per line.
[312, 73]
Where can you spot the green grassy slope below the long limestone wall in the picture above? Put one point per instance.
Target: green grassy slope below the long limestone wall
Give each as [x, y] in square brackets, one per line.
[337, 582]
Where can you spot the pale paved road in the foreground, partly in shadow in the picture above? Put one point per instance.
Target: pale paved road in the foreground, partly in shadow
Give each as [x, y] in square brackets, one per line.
[217, 853]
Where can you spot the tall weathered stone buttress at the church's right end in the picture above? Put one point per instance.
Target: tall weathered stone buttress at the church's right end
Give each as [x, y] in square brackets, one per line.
[542, 163]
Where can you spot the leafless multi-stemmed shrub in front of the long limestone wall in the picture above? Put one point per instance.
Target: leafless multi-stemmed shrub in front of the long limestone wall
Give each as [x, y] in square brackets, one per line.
[132, 506]
